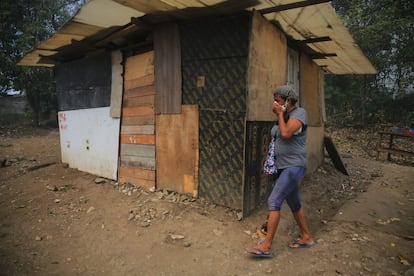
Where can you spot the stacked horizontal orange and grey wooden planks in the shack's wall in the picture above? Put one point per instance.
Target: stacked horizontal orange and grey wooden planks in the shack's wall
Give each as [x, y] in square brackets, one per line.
[137, 149]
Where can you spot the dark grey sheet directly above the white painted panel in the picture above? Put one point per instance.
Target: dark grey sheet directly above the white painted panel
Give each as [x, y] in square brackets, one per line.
[84, 83]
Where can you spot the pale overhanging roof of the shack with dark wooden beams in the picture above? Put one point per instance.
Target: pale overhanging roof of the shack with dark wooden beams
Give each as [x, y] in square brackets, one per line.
[314, 24]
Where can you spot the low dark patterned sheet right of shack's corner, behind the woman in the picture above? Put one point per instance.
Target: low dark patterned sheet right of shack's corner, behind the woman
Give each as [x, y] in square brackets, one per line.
[257, 185]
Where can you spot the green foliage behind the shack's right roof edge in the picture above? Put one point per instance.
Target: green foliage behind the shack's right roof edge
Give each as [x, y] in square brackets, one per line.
[384, 29]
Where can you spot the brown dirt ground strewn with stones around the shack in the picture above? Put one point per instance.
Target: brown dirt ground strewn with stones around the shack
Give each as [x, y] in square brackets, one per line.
[55, 220]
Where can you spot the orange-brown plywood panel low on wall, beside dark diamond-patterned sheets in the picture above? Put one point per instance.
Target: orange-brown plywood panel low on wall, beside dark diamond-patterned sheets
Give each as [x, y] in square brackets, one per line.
[177, 150]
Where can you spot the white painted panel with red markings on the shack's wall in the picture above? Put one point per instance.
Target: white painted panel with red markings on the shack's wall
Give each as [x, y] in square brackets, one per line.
[89, 140]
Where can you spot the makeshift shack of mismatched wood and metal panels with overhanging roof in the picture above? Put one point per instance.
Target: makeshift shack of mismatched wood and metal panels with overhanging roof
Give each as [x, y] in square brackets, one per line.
[177, 95]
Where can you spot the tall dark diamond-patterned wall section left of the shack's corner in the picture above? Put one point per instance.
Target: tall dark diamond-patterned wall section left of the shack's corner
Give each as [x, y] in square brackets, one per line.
[214, 77]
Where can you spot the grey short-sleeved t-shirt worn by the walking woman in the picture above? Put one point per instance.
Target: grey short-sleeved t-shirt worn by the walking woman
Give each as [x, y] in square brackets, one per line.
[292, 152]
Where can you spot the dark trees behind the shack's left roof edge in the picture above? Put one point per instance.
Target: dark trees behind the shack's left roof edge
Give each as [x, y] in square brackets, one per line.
[24, 24]
